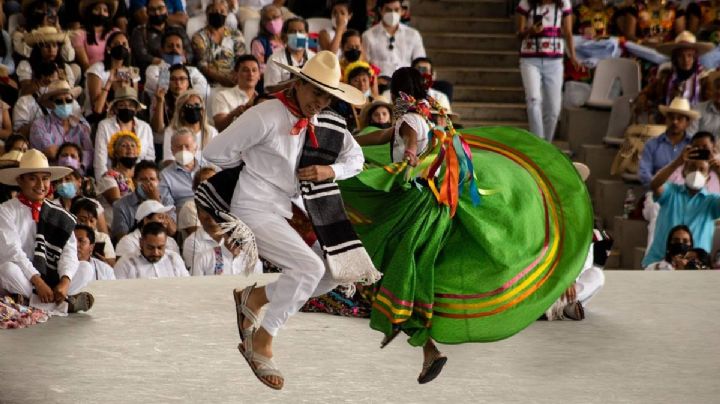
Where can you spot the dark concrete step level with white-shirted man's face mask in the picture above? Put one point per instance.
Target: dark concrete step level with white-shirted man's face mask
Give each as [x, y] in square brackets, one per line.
[463, 24]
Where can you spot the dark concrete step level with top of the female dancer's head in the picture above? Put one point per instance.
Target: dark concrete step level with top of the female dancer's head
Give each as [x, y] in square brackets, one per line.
[495, 76]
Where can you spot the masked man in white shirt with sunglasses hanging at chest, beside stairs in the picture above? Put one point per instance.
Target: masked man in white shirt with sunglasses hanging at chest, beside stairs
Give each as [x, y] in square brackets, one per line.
[391, 45]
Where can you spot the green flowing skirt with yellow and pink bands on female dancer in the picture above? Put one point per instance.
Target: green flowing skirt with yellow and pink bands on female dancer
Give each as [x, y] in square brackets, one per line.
[493, 268]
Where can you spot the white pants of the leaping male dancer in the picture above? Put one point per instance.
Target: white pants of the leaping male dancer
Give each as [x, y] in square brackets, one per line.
[303, 271]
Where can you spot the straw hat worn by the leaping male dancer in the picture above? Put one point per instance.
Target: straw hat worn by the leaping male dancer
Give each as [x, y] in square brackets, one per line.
[323, 71]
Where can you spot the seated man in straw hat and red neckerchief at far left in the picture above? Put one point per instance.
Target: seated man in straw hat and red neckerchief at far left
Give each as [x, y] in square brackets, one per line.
[31, 226]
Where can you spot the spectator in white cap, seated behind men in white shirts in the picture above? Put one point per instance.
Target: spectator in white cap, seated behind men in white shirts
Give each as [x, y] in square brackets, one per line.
[148, 212]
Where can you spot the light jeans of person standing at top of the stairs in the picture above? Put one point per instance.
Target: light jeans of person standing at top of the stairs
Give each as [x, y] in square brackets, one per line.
[542, 79]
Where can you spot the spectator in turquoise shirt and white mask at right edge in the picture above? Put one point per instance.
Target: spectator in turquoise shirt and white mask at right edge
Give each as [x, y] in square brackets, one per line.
[688, 204]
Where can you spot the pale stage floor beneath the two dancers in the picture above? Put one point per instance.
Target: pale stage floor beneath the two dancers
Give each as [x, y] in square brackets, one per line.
[648, 338]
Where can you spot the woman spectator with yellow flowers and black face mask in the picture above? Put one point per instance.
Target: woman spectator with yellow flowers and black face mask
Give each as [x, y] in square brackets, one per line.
[123, 149]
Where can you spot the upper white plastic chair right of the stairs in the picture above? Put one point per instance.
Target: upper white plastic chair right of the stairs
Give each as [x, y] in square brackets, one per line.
[627, 71]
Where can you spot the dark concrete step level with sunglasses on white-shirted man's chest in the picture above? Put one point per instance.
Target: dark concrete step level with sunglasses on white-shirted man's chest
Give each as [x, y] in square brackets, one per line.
[470, 41]
